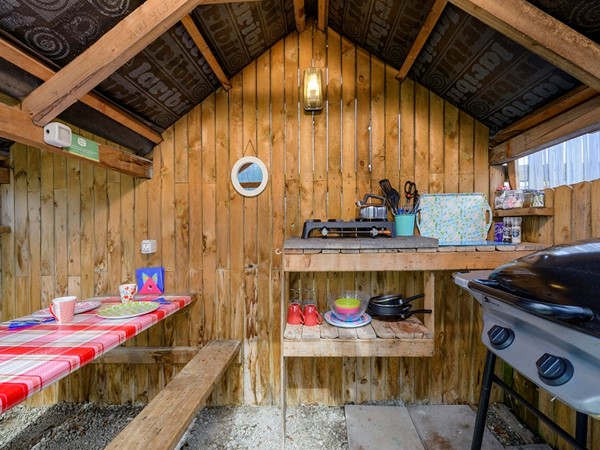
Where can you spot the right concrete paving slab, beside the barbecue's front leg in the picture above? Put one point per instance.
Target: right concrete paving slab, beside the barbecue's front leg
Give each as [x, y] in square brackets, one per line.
[448, 427]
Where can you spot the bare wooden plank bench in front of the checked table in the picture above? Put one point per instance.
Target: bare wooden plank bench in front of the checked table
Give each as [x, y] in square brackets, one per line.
[164, 420]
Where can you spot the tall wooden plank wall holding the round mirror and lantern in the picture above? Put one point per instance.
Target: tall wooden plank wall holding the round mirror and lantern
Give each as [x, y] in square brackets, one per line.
[77, 228]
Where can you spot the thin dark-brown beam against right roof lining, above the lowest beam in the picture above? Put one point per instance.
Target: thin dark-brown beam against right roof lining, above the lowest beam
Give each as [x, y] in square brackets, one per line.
[559, 106]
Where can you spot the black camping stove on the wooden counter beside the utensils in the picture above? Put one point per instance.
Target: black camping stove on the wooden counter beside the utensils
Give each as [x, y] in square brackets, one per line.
[349, 228]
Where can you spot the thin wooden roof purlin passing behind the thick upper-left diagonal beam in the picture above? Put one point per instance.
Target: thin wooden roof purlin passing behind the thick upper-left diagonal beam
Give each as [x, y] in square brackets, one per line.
[38, 69]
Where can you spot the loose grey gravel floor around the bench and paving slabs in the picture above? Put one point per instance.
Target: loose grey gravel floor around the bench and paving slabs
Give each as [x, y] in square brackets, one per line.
[66, 426]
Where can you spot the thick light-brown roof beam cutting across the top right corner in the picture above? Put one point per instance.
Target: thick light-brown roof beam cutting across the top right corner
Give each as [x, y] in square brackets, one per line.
[542, 34]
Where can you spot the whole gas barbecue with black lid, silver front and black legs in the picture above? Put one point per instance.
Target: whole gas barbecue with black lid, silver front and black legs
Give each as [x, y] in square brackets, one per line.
[541, 315]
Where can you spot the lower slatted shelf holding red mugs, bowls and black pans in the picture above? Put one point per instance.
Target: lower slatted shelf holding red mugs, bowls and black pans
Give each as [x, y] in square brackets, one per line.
[379, 338]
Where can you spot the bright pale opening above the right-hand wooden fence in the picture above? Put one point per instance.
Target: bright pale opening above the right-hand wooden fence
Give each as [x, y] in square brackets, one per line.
[567, 163]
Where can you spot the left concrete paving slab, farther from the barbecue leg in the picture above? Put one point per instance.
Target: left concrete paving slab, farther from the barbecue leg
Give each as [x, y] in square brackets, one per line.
[380, 428]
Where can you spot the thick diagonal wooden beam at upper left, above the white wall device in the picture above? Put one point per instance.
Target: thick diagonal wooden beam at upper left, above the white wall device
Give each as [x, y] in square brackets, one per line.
[121, 43]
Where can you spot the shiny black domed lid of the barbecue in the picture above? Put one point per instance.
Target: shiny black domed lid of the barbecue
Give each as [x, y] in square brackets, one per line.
[565, 274]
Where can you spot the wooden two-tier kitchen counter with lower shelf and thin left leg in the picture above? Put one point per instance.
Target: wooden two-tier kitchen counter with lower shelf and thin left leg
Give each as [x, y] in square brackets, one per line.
[409, 338]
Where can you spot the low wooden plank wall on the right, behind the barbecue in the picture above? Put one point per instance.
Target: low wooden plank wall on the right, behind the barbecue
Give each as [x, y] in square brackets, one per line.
[576, 216]
